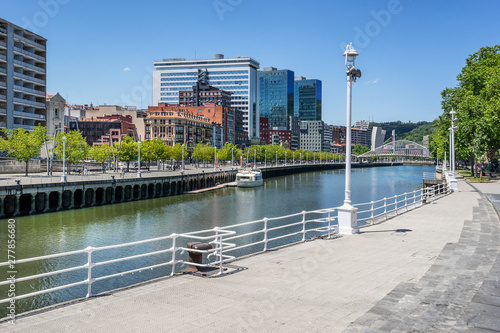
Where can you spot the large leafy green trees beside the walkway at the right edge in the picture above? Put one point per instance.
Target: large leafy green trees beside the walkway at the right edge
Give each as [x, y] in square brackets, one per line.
[476, 100]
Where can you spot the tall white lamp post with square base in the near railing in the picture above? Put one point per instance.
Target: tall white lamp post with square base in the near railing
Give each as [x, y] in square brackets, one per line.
[347, 214]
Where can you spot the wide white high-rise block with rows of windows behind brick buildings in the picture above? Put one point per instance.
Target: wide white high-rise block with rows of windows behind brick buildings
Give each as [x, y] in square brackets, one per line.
[236, 75]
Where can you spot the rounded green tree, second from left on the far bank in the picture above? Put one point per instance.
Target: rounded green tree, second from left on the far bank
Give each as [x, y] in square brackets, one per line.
[74, 150]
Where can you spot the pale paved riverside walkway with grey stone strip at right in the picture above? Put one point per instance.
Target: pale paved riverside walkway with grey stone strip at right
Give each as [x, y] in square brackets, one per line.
[434, 268]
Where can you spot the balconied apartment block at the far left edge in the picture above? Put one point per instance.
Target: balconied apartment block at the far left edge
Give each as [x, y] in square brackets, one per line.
[22, 77]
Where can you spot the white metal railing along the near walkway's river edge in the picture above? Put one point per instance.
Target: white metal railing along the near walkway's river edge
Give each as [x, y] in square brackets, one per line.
[240, 239]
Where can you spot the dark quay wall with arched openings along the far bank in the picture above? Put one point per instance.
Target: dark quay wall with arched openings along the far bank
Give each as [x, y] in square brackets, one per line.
[29, 199]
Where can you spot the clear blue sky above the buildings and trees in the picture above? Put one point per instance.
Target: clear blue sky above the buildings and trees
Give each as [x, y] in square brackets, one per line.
[102, 52]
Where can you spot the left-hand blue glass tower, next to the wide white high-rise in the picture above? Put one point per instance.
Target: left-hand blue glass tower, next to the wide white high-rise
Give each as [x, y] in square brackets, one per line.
[276, 96]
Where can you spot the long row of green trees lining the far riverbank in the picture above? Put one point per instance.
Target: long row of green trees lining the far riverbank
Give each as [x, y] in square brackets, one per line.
[24, 145]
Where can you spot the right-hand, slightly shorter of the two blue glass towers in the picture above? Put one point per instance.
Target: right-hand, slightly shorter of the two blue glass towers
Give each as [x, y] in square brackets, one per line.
[307, 99]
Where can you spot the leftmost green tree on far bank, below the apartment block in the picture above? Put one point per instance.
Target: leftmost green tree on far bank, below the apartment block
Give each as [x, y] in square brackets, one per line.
[23, 145]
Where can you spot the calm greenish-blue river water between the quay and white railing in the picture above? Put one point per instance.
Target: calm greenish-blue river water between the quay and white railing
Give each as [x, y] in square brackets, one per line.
[132, 221]
